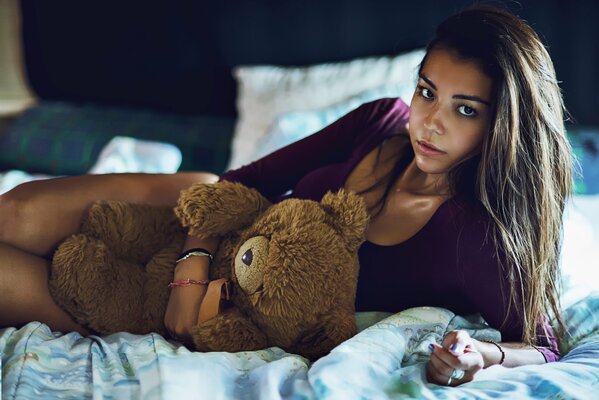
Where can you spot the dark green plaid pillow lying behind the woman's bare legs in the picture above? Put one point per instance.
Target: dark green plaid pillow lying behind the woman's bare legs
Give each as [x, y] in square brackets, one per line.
[65, 138]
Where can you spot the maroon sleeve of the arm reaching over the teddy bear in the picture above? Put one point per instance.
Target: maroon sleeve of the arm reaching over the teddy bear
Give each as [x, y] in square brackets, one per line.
[278, 172]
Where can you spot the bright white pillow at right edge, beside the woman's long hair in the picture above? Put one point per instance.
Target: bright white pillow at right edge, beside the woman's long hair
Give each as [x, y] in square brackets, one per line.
[580, 248]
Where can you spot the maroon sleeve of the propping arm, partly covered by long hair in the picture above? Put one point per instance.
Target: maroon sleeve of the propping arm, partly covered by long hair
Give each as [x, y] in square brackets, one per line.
[487, 287]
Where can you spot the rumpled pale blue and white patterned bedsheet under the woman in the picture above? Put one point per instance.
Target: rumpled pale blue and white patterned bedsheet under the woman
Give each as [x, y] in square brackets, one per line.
[385, 360]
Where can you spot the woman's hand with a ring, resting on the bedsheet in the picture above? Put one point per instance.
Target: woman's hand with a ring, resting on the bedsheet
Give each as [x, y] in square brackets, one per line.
[457, 353]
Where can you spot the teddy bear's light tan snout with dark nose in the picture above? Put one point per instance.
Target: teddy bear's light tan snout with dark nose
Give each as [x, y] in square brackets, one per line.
[250, 262]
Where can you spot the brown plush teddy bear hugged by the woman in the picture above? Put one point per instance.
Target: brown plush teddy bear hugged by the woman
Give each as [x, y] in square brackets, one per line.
[292, 267]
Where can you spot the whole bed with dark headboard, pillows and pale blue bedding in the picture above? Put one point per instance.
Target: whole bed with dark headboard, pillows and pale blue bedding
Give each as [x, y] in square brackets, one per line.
[230, 82]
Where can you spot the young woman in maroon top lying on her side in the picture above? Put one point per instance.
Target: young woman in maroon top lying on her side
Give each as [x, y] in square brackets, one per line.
[466, 190]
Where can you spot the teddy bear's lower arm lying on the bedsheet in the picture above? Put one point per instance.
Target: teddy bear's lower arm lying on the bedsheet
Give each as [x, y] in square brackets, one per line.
[228, 331]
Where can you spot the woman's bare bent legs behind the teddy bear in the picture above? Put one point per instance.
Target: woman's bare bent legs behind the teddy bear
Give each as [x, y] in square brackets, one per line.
[35, 217]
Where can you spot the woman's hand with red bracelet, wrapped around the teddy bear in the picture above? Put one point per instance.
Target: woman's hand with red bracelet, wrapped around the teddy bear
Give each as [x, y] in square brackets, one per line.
[184, 302]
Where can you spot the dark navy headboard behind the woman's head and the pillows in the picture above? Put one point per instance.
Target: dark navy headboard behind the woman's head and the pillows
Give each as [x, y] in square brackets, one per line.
[177, 55]
